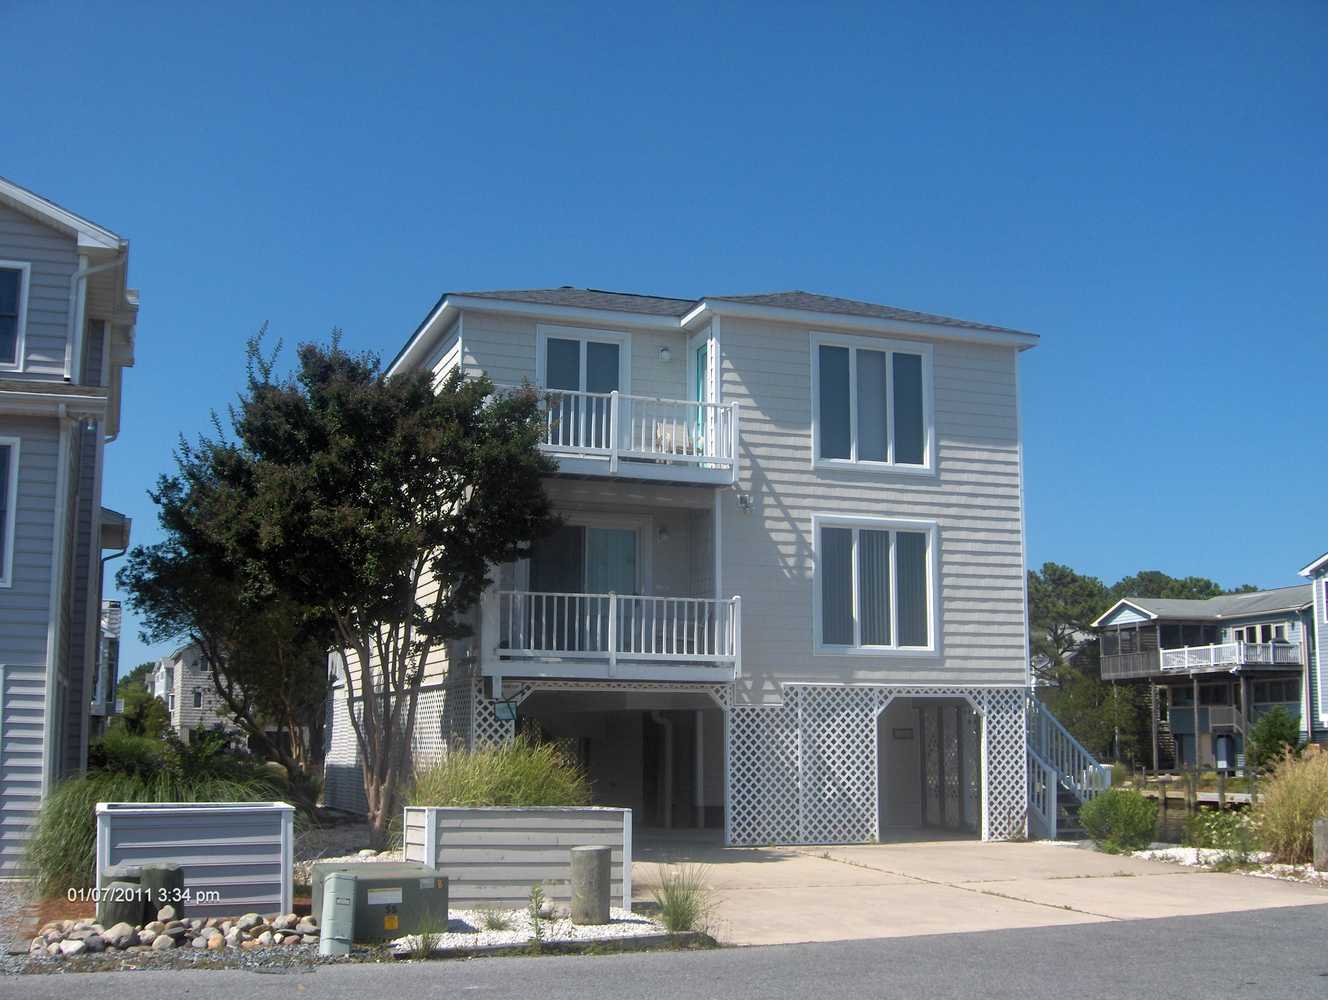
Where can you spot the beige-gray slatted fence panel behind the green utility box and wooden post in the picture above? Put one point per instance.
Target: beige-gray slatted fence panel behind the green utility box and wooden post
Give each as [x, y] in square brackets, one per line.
[493, 856]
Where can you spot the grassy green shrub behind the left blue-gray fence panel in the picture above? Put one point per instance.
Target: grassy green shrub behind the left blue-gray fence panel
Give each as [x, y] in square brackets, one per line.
[62, 851]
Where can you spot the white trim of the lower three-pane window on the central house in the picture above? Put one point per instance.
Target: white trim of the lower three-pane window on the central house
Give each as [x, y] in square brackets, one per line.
[878, 524]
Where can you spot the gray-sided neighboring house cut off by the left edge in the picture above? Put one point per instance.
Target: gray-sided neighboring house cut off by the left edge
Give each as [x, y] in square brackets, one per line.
[67, 333]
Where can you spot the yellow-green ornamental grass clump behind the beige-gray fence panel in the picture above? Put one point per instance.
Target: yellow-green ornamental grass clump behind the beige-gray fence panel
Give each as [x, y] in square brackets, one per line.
[516, 774]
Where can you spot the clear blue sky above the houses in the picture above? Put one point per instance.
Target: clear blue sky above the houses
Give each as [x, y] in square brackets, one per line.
[1141, 184]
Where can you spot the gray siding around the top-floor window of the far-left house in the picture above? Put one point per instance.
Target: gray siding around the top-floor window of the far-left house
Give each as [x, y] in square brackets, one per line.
[54, 258]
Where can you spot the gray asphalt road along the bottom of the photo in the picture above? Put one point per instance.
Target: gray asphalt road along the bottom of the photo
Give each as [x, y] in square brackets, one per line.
[1256, 956]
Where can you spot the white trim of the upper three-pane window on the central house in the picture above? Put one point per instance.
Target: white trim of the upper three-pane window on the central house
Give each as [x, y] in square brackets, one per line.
[929, 410]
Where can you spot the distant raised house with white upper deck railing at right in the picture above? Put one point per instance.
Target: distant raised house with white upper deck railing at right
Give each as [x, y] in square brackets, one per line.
[1213, 669]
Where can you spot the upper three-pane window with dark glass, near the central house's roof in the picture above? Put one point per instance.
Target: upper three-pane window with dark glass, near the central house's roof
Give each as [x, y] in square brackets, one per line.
[872, 404]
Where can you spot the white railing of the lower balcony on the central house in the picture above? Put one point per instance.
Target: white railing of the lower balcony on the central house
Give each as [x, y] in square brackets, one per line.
[614, 629]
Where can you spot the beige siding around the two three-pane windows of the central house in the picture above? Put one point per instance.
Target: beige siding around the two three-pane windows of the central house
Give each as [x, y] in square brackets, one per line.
[975, 499]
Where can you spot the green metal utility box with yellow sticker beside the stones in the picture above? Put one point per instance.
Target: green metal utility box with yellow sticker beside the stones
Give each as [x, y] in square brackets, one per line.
[391, 900]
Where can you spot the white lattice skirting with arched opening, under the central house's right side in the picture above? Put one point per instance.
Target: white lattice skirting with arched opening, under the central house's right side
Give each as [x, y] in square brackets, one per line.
[805, 771]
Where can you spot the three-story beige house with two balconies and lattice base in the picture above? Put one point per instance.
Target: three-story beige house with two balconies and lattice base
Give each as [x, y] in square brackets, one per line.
[787, 601]
